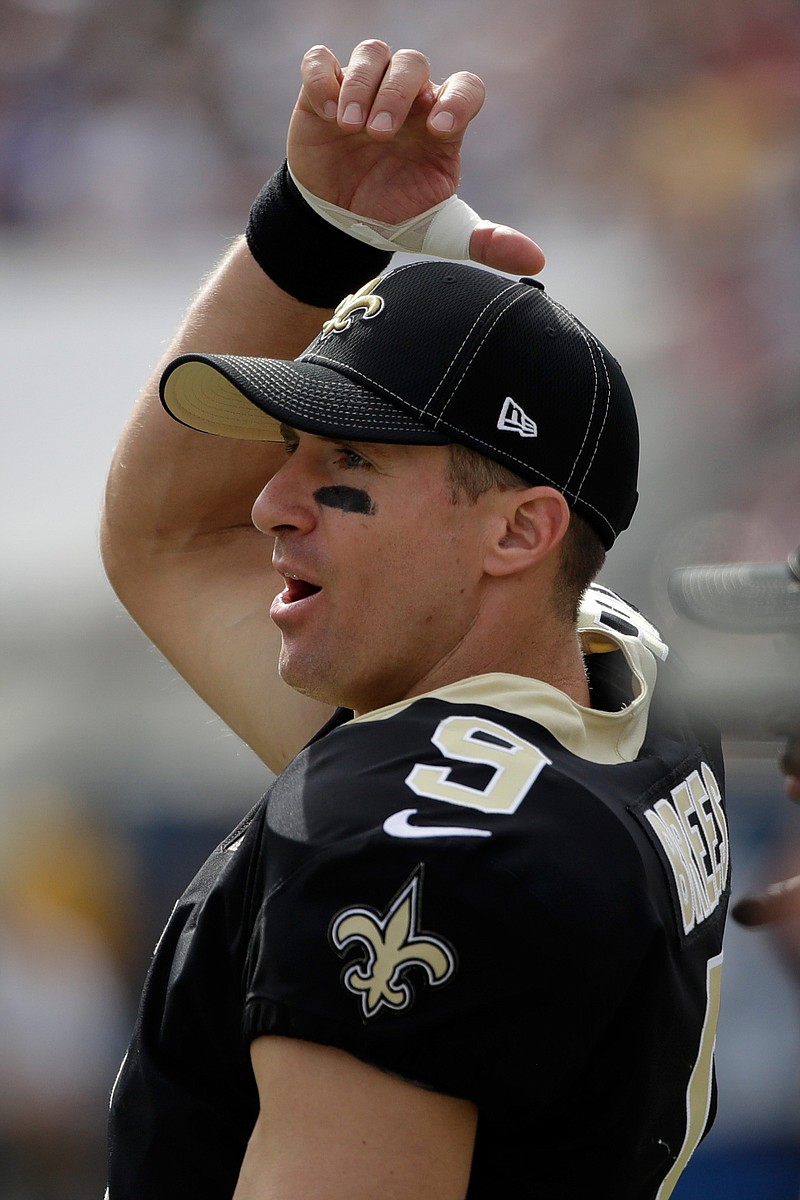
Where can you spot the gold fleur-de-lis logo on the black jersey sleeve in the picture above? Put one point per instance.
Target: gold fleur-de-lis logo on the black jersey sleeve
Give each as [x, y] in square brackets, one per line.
[393, 944]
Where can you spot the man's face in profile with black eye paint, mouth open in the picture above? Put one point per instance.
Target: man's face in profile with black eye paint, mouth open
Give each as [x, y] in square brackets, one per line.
[383, 574]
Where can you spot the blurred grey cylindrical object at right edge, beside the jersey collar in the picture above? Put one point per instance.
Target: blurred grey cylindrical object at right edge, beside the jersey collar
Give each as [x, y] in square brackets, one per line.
[744, 598]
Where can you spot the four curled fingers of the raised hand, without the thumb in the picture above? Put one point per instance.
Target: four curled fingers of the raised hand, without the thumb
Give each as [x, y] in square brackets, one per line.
[377, 92]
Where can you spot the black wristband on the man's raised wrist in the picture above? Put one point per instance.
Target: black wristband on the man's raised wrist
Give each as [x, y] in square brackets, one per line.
[302, 253]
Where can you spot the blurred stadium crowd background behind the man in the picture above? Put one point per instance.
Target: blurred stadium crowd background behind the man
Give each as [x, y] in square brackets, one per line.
[653, 148]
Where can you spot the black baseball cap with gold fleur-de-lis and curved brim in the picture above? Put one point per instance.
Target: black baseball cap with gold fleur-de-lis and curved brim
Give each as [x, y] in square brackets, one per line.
[434, 353]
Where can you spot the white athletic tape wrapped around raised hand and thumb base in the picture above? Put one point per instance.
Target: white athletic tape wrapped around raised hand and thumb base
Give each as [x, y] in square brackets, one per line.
[443, 232]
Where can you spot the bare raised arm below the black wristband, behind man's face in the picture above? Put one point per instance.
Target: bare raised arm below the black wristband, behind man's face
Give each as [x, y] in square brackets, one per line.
[177, 537]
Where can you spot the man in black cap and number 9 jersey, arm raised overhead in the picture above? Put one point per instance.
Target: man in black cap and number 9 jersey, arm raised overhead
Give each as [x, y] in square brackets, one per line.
[470, 945]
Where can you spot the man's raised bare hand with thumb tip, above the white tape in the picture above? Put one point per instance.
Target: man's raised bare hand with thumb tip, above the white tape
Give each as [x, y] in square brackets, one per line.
[381, 140]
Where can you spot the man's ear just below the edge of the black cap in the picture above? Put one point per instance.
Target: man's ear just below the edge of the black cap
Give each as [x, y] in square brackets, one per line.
[533, 525]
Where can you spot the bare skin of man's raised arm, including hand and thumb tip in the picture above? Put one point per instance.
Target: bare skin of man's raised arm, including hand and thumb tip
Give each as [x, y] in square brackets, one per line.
[378, 139]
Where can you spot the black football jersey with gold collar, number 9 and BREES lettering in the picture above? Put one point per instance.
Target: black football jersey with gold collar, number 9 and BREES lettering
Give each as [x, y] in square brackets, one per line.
[488, 891]
